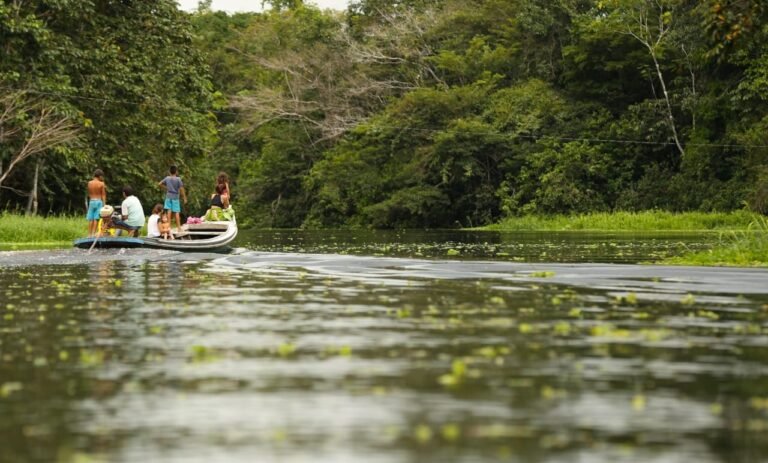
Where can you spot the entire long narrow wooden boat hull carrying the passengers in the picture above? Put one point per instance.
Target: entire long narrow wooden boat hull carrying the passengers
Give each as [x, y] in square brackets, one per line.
[205, 236]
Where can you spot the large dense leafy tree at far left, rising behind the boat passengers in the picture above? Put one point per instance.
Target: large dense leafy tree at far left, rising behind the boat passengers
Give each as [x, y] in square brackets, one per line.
[130, 72]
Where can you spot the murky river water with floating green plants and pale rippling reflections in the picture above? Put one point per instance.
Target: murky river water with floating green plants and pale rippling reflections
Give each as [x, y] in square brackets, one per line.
[394, 347]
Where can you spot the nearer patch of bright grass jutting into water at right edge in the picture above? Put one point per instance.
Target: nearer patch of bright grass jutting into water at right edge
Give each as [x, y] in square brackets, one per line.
[744, 249]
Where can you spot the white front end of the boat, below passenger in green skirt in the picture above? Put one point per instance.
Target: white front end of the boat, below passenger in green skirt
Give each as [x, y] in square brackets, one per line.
[206, 236]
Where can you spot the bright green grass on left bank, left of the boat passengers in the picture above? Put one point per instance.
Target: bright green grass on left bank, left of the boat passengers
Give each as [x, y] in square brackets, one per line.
[21, 229]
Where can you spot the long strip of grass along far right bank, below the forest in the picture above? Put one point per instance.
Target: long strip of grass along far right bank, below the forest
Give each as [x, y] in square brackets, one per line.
[630, 221]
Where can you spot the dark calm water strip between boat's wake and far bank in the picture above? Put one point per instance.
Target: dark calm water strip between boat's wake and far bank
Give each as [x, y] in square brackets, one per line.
[512, 246]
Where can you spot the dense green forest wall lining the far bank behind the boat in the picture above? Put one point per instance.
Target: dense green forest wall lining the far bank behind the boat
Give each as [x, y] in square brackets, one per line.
[409, 113]
